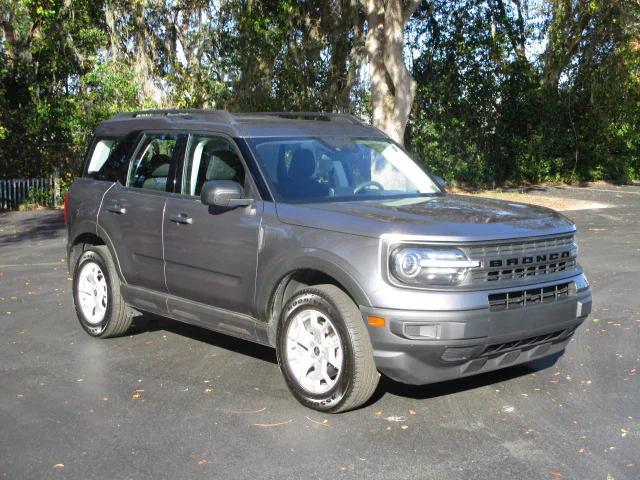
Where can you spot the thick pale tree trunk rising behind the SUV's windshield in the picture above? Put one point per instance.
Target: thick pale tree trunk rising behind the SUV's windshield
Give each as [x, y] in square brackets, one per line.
[392, 87]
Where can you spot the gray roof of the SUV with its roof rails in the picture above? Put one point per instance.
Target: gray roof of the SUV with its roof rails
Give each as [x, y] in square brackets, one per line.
[257, 124]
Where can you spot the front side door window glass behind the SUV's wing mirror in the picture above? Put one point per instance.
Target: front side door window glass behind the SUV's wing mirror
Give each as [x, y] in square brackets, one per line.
[210, 158]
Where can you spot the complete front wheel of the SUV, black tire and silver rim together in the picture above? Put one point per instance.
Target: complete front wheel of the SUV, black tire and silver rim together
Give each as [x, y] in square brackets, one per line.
[324, 350]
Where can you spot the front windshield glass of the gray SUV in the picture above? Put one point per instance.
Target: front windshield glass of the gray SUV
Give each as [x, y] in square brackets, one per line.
[316, 169]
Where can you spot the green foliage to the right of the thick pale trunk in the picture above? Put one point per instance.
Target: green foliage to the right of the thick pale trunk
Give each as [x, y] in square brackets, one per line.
[487, 115]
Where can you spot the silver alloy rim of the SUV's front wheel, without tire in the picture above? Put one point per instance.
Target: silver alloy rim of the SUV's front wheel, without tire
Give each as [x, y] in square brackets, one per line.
[314, 351]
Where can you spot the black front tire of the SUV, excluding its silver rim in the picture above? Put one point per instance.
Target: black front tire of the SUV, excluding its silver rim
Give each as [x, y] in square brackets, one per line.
[358, 378]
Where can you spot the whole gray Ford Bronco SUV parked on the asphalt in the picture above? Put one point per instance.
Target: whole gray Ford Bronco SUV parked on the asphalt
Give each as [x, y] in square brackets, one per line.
[318, 235]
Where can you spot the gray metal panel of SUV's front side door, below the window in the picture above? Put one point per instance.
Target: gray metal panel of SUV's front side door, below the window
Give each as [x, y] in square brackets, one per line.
[211, 253]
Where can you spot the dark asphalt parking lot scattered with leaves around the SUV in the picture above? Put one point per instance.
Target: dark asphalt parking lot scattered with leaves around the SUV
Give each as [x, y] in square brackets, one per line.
[174, 401]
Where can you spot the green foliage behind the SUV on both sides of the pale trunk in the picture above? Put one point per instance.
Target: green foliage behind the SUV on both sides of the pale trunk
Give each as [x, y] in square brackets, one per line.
[506, 91]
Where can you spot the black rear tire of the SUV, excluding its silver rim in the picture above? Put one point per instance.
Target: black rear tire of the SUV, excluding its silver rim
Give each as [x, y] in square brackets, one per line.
[118, 316]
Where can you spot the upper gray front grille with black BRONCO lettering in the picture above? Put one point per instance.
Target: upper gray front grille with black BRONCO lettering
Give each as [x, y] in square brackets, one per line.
[503, 262]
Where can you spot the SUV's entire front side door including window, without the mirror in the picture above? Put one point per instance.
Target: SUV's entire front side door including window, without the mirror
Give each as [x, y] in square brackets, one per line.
[210, 252]
